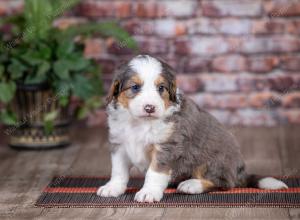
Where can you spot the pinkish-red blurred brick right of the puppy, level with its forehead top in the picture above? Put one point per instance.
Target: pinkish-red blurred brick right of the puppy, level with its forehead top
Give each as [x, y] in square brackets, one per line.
[196, 65]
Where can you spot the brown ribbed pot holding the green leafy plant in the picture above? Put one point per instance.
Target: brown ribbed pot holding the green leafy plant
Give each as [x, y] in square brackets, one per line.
[31, 103]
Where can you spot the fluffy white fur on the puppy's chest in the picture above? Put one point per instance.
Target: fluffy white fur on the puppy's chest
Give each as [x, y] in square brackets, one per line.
[138, 136]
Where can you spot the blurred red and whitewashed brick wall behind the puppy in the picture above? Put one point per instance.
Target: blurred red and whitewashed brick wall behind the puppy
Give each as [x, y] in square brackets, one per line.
[239, 59]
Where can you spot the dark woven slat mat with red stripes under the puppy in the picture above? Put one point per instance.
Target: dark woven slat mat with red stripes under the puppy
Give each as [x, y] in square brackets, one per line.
[80, 191]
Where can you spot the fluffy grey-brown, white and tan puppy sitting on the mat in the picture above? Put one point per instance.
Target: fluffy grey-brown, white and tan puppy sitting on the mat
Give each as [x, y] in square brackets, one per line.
[155, 128]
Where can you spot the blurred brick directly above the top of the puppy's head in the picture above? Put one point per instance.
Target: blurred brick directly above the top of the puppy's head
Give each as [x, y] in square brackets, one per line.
[153, 45]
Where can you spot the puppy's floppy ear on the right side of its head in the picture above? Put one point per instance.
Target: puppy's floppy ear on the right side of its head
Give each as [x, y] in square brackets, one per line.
[170, 76]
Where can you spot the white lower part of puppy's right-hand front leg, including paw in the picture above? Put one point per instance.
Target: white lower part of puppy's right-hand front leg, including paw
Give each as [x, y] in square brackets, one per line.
[154, 186]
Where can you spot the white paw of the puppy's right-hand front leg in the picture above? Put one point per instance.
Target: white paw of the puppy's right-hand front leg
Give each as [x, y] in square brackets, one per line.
[148, 195]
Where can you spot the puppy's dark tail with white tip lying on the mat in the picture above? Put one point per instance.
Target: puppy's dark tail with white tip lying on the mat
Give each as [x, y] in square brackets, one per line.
[263, 182]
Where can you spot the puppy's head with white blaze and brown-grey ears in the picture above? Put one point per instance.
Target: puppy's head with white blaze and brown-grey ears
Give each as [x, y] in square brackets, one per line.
[145, 86]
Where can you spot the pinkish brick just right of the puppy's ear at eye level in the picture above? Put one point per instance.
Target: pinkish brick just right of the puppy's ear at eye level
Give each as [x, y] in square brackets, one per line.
[189, 83]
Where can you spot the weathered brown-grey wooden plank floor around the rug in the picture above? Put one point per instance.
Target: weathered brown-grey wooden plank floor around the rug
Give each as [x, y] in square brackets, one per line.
[23, 175]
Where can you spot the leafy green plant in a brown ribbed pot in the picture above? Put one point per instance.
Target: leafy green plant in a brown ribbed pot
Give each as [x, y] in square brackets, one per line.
[43, 68]
